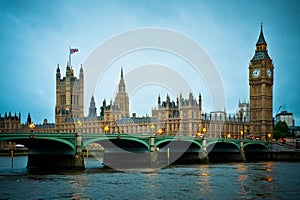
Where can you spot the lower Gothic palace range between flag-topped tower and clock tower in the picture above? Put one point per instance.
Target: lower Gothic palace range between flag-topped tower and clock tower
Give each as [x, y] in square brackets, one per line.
[181, 117]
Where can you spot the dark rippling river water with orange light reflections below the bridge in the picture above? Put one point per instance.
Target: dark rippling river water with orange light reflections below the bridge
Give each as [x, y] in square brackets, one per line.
[261, 180]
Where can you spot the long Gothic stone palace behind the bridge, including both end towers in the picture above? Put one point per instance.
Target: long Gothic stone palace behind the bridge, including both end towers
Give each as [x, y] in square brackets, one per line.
[181, 116]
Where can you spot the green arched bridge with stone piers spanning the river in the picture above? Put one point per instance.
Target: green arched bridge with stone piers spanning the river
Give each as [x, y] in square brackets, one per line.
[66, 150]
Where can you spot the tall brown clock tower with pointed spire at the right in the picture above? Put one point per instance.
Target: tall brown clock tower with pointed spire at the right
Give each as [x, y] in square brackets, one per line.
[261, 71]
